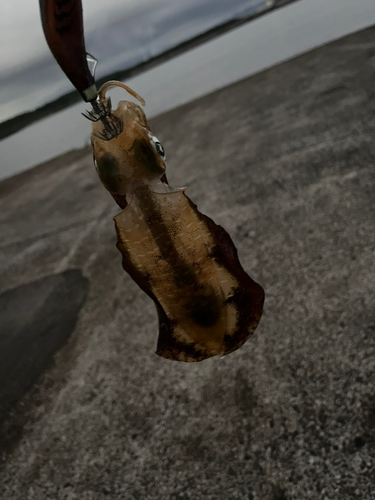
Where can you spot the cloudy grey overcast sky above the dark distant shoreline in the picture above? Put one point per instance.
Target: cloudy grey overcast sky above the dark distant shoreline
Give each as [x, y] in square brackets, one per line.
[119, 33]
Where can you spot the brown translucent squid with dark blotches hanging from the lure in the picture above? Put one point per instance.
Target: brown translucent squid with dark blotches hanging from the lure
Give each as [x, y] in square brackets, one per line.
[207, 305]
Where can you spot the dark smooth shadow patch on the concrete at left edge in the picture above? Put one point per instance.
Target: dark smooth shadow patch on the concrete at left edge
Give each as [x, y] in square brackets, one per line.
[37, 319]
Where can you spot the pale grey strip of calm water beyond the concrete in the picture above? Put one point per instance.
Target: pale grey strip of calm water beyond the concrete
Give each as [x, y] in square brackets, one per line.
[249, 49]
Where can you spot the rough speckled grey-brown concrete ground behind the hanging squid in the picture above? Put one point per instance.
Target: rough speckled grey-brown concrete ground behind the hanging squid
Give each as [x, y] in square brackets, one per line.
[285, 162]
